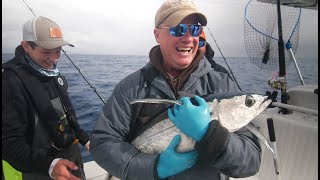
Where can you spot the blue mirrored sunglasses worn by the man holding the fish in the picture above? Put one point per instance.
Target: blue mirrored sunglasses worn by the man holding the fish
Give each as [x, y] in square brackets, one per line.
[181, 30]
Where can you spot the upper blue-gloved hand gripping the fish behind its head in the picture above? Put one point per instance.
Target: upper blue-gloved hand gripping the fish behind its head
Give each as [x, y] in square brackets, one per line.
[193, 120]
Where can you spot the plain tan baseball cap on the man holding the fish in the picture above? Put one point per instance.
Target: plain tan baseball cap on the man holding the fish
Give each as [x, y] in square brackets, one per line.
[172, 12]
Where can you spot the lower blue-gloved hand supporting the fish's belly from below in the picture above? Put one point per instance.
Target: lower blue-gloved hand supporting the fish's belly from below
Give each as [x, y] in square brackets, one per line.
[171, 162]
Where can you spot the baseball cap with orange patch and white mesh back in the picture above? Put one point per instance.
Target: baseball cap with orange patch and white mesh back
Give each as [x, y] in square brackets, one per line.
[44, 32]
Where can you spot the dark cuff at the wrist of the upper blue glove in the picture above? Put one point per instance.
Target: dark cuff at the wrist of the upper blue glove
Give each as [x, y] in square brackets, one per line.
[214, 141]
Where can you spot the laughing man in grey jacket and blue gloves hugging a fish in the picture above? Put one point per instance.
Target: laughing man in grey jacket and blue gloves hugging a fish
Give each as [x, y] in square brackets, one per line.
[176, 70]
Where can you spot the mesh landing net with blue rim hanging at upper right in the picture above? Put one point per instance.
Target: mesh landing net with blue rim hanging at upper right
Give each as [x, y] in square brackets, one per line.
[261, 32]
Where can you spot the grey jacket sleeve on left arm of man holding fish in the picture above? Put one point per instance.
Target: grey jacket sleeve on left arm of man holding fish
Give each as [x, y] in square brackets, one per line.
[109, 140]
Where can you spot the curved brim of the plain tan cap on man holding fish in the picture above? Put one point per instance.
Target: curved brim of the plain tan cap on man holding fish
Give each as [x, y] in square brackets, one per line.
[176, 18]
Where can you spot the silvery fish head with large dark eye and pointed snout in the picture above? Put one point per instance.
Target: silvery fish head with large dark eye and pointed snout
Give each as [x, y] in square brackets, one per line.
[236, 112]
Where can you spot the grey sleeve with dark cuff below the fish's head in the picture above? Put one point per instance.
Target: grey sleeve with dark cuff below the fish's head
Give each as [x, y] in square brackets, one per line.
[235, 154]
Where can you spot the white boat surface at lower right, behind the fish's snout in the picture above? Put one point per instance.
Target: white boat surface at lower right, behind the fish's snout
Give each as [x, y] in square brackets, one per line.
[296, 139]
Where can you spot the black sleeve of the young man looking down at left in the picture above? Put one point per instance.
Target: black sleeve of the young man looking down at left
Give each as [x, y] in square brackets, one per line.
[17, 128]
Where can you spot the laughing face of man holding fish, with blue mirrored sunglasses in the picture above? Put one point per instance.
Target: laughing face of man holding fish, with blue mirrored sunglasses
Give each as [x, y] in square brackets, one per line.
[178, 48]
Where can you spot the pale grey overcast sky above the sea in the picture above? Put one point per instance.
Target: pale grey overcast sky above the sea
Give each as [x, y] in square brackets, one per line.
[125, 27]
